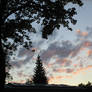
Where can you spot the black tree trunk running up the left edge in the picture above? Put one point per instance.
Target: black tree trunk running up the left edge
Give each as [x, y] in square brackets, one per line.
[3, 4]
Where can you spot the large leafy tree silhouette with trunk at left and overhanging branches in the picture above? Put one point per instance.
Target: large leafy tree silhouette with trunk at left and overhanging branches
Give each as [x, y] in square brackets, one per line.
[51, 12]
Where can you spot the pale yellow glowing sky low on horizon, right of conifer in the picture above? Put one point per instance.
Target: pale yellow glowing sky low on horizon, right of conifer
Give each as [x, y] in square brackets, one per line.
[81, 76]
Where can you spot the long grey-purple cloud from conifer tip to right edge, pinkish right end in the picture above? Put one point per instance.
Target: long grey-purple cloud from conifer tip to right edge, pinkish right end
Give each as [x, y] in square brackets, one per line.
[65, 49]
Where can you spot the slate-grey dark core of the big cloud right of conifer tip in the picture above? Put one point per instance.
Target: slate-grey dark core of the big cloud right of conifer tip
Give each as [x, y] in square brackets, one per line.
[62, 50]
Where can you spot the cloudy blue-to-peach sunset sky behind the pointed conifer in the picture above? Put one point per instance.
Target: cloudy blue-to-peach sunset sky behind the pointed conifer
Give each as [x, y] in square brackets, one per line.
[66, 55]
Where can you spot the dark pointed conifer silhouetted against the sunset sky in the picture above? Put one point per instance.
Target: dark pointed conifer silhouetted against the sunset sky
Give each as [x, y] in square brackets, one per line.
[39, 76]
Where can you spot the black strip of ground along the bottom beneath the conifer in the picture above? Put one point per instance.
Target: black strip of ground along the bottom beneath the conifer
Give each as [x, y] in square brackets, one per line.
[51, 88]
